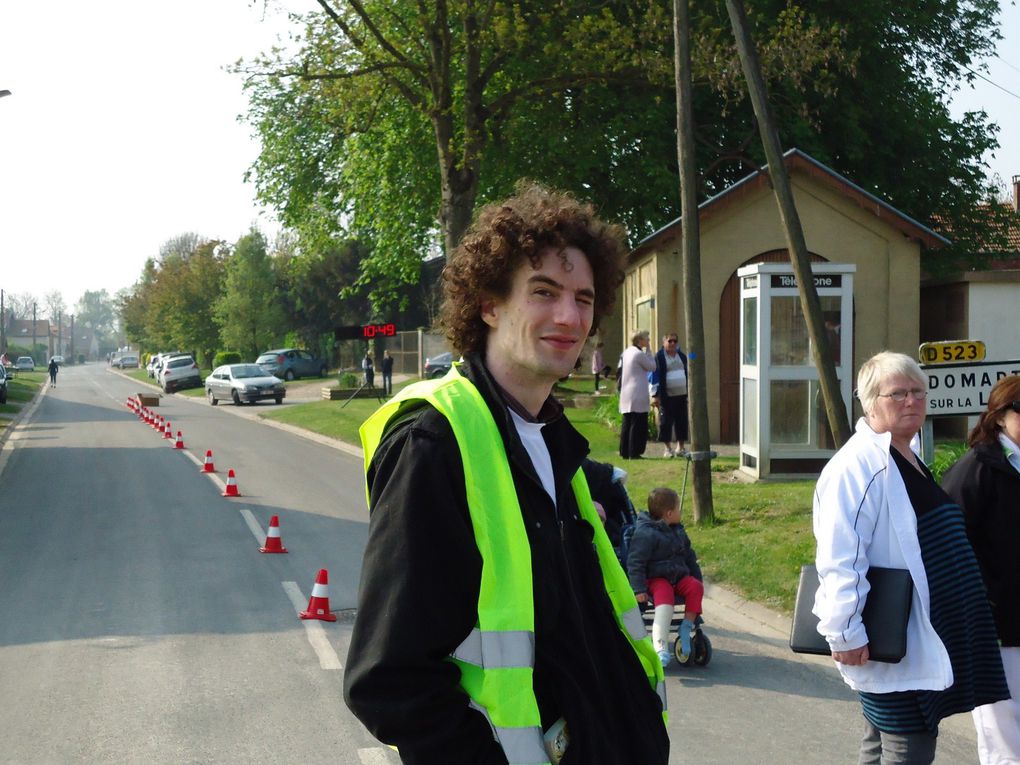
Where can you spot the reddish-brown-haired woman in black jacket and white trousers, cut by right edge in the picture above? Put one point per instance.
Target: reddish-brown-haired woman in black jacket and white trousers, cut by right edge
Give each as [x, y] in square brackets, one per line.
[986, 483]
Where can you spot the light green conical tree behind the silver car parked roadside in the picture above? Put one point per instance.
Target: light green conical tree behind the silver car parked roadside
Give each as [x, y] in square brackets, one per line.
[249, 313]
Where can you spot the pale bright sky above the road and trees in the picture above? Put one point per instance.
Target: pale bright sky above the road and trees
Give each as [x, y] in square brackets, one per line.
[122, 133]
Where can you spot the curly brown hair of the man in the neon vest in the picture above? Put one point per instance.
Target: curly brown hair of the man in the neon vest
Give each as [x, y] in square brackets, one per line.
[505, 234]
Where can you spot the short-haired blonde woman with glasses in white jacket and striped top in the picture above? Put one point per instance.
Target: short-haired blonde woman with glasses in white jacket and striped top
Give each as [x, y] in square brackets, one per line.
[878, 504]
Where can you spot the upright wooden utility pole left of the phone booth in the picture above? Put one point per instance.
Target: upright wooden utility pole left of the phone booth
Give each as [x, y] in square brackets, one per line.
[701, 454]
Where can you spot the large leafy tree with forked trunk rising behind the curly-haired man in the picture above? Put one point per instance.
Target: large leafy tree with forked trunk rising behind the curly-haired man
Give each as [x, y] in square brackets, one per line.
[391, 122]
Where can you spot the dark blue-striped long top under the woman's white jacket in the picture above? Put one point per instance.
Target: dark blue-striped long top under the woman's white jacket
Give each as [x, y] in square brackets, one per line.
[955, 584]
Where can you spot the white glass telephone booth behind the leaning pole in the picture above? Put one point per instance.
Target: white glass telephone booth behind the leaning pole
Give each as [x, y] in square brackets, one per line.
[784, 427]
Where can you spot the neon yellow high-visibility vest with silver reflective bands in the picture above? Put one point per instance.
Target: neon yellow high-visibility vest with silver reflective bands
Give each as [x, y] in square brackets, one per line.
[497, 658]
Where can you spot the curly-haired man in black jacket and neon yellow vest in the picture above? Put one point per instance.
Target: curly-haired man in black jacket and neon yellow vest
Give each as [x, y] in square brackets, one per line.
[494, 625]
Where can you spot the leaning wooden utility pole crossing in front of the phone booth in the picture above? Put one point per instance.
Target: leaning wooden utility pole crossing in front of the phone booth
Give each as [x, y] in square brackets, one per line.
[835, 410]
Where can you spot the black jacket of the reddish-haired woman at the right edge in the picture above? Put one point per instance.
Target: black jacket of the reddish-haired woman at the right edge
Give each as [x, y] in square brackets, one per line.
[988, 489]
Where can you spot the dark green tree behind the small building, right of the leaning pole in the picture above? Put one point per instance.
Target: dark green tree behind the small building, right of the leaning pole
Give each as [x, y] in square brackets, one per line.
[887, 125]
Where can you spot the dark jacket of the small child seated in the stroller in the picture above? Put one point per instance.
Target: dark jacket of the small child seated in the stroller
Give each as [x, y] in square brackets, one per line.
[660, 550]
